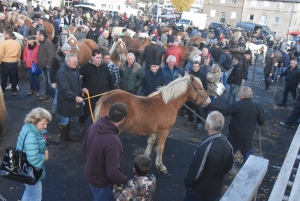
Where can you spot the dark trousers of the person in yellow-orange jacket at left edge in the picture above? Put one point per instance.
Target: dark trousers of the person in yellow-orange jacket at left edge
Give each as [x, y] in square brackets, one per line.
[9, 70]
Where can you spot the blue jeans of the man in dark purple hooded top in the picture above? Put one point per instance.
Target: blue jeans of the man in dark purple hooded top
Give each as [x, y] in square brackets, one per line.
[102, 193]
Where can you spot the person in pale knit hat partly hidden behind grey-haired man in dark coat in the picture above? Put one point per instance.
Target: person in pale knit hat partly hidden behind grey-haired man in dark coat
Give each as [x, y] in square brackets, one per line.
[57, 62]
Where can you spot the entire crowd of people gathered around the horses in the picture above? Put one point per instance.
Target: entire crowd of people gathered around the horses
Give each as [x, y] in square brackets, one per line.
[65, 83]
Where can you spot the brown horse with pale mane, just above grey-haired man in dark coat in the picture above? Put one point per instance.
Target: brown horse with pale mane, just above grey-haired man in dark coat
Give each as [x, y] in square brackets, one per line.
[83, 48]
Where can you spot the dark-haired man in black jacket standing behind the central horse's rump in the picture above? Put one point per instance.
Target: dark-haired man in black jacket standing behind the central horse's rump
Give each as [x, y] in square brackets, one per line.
[96, 79]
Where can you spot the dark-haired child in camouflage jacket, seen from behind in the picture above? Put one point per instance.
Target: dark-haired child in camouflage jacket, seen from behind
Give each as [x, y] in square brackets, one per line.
[142, 186]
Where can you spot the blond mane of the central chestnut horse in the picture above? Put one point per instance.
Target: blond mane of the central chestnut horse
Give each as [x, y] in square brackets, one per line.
[175, 88]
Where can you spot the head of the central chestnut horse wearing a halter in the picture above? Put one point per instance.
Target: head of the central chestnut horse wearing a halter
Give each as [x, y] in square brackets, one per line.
[198, 93]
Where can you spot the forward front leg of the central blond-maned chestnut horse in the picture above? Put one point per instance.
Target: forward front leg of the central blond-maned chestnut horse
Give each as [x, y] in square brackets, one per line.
[161, 139]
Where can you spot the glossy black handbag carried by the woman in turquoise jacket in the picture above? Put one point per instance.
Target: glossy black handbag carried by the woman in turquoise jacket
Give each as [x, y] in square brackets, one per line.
[16, 167]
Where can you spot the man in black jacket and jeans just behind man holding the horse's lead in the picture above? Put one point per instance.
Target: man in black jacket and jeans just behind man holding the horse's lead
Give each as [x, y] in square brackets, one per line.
[235, 79]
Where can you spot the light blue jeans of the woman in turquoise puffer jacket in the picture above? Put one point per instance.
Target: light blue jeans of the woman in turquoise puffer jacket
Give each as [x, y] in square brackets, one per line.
[33, 192]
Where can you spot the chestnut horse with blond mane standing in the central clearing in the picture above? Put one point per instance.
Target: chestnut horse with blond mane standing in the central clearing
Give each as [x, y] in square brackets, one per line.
[156, 114]
